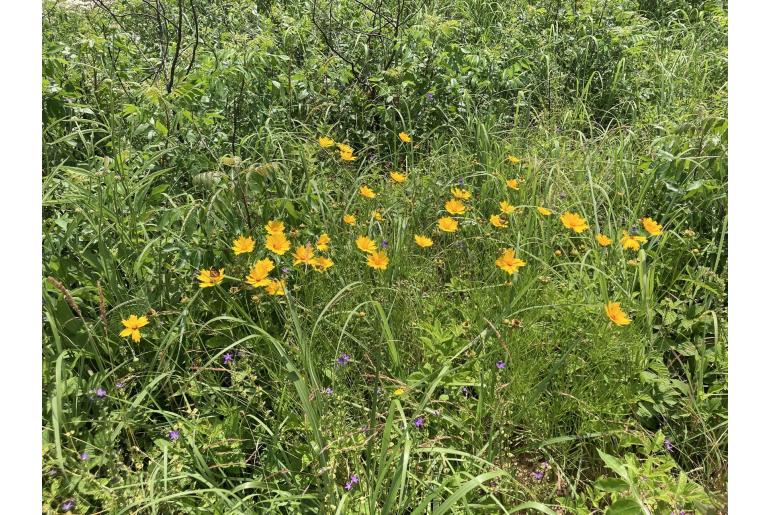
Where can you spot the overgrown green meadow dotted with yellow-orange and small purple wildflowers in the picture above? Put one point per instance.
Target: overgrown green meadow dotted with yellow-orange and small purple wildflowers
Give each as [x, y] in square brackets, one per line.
[384, 256]
